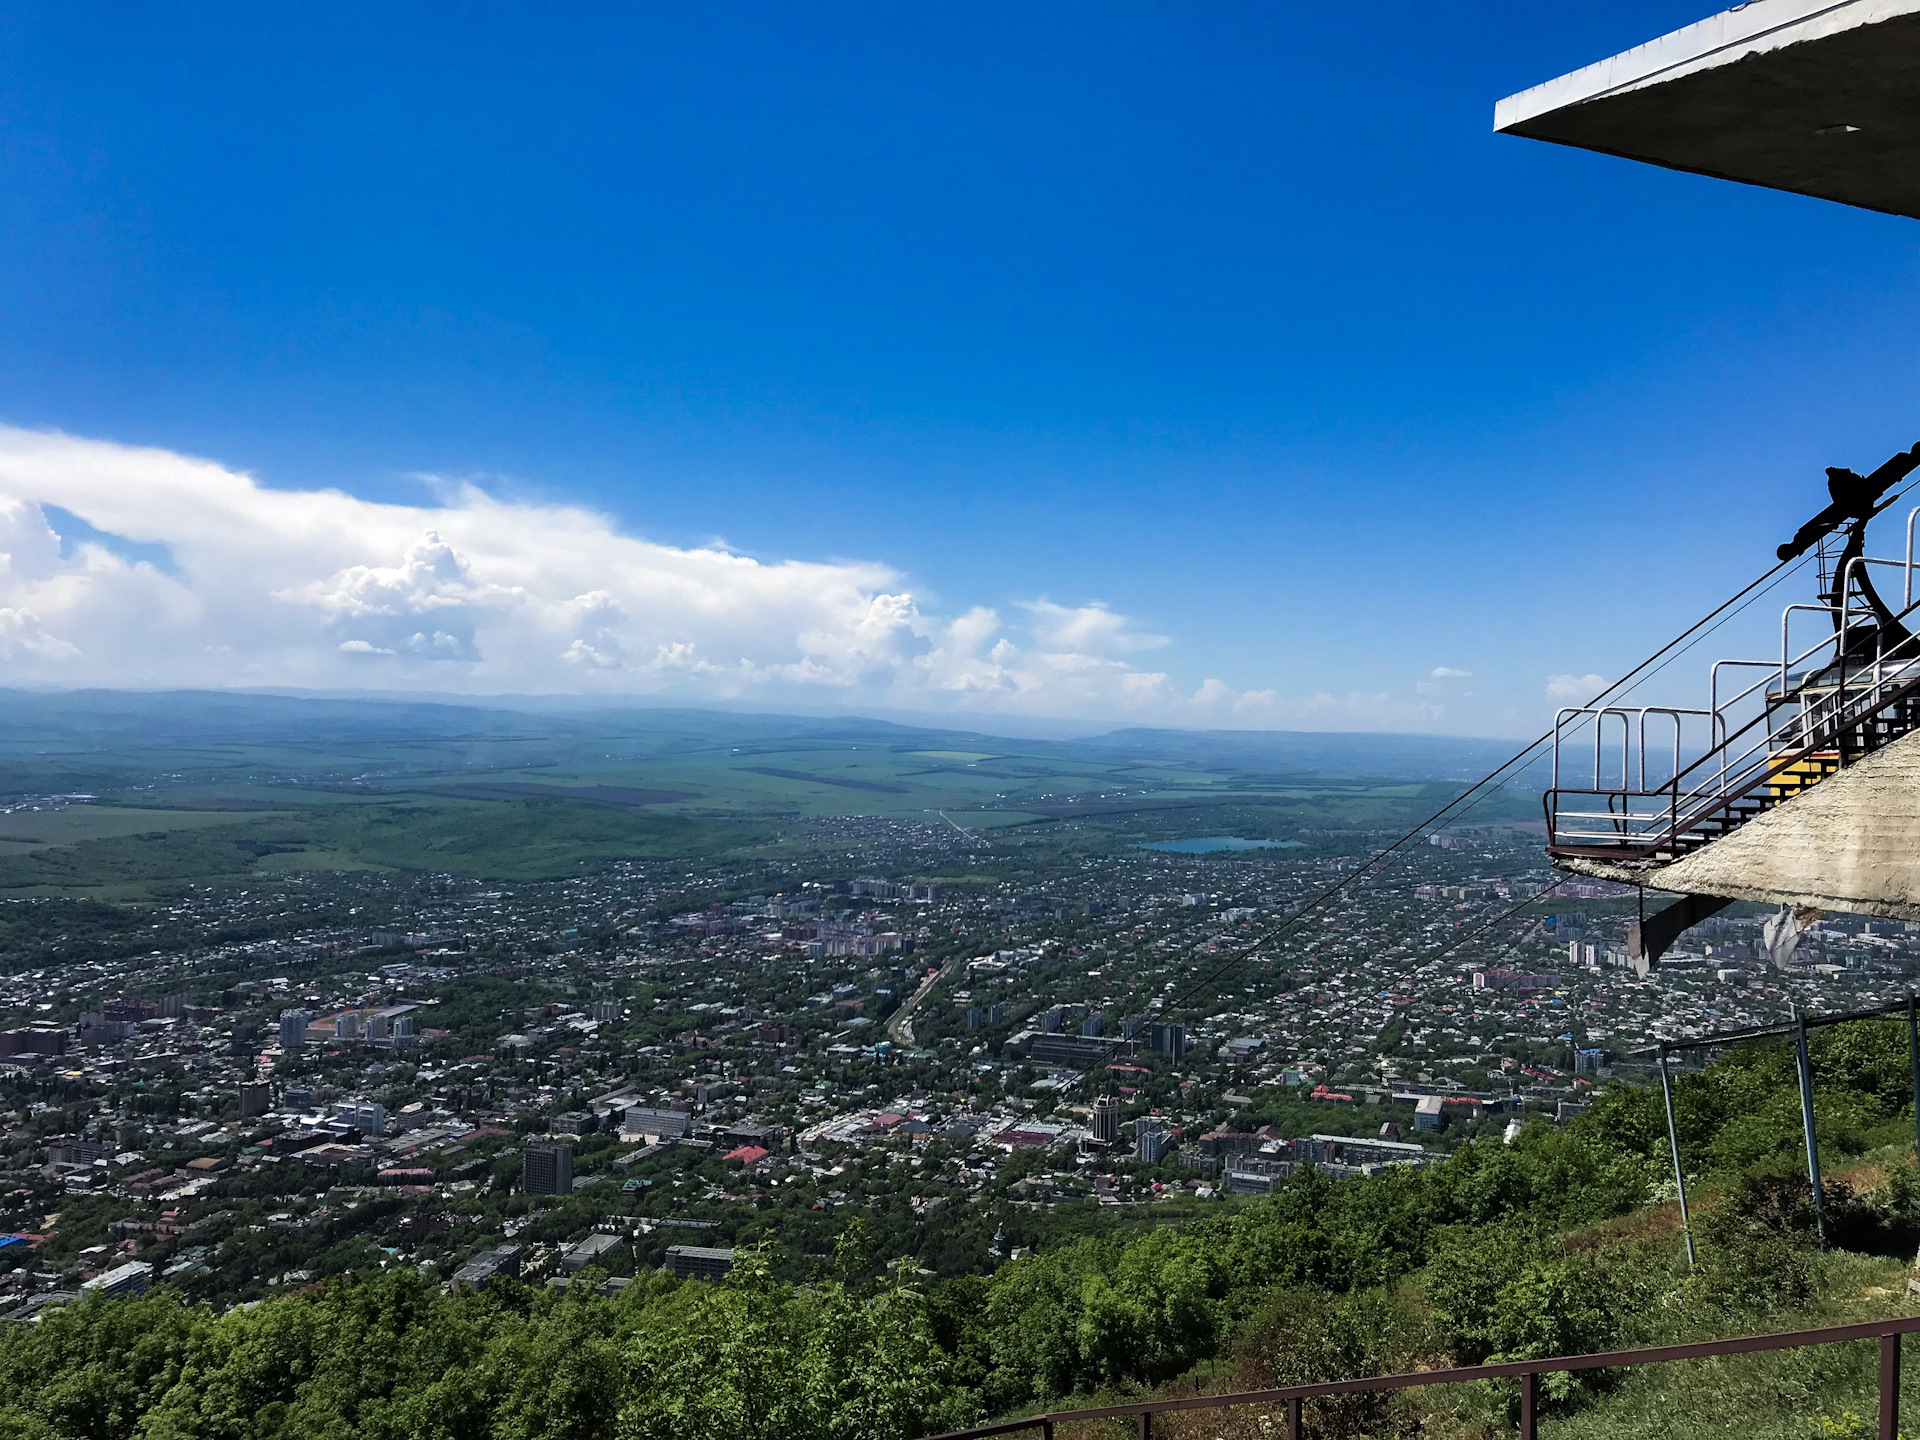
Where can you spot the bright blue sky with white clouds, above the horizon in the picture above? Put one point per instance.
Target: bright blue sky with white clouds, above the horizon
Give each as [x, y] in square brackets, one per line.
[1214, 343]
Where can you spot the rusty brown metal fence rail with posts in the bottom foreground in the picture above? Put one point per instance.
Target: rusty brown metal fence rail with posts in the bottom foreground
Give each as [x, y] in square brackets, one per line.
[1527, 1372]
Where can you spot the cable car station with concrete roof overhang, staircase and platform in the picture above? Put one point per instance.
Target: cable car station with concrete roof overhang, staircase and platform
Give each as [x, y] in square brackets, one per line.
[1798, 779]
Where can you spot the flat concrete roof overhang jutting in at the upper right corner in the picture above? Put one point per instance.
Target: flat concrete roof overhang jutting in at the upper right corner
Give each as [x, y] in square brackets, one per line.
[1817, 97]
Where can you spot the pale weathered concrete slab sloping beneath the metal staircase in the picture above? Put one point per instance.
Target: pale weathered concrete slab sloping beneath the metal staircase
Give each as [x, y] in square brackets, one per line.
[1848, 844]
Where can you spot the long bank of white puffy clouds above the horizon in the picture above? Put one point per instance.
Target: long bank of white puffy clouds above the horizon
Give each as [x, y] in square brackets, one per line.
[141, 569]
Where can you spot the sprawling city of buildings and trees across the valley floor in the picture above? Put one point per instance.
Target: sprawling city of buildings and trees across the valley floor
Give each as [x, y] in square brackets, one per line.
[976, 1045]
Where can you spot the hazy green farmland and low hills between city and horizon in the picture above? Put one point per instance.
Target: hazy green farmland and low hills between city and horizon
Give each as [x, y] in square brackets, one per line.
[204, 786]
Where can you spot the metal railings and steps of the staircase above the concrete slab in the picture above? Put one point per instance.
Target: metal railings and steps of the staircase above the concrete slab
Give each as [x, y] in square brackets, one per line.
[1812, 713]
